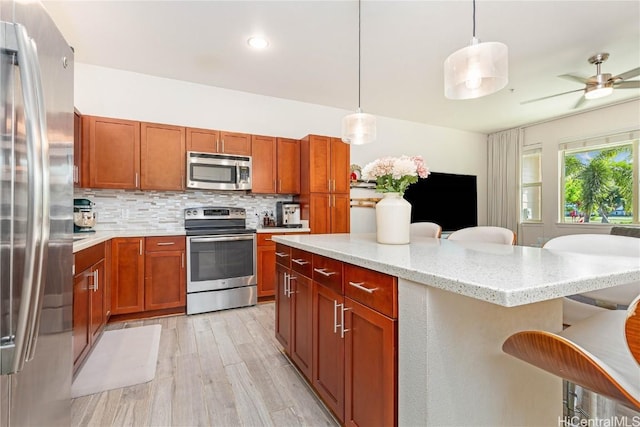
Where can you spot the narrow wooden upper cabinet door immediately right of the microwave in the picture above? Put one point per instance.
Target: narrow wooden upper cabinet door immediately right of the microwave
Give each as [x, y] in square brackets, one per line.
[264, 164]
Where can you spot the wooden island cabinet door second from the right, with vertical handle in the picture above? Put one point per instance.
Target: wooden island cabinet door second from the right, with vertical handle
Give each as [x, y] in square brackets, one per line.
[328, 348]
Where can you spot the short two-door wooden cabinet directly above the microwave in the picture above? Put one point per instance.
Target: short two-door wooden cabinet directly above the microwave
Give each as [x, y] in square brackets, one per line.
[223, 142]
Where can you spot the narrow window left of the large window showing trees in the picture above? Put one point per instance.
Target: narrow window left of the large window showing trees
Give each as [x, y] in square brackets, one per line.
[531, 186]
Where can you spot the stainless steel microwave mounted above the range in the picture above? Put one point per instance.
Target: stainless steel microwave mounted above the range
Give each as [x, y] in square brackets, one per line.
[208, 171]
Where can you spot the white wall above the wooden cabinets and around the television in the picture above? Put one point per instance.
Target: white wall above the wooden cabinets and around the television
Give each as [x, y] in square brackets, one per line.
[115, 93]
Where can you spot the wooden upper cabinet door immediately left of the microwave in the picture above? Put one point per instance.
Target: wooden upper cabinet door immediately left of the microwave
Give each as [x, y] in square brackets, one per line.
[162, 157]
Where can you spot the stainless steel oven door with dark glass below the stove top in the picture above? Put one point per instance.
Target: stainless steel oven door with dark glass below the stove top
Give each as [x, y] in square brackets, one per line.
[221, 262]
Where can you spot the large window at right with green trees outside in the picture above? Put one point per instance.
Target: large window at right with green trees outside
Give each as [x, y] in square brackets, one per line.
[599, 180]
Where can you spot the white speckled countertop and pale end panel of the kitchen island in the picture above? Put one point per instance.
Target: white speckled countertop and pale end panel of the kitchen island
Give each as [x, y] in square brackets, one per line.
[457, 303]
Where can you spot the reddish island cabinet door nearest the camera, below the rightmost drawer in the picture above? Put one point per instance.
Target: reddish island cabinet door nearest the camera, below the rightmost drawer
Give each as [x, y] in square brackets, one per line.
[370, 367]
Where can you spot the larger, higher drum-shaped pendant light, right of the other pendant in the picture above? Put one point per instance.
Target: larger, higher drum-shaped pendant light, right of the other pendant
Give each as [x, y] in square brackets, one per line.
[477, 70]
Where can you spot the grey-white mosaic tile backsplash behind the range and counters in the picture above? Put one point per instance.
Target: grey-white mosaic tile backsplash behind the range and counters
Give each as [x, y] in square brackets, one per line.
[130, 210]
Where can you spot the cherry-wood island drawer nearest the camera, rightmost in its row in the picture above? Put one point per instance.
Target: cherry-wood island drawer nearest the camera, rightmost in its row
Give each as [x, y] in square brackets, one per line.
[371, 288]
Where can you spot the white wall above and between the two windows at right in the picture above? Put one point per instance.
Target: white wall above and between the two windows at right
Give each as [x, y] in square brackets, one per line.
[548, 135]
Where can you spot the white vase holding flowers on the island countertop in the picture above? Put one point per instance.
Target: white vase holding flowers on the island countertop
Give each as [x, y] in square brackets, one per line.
[393, 219]
